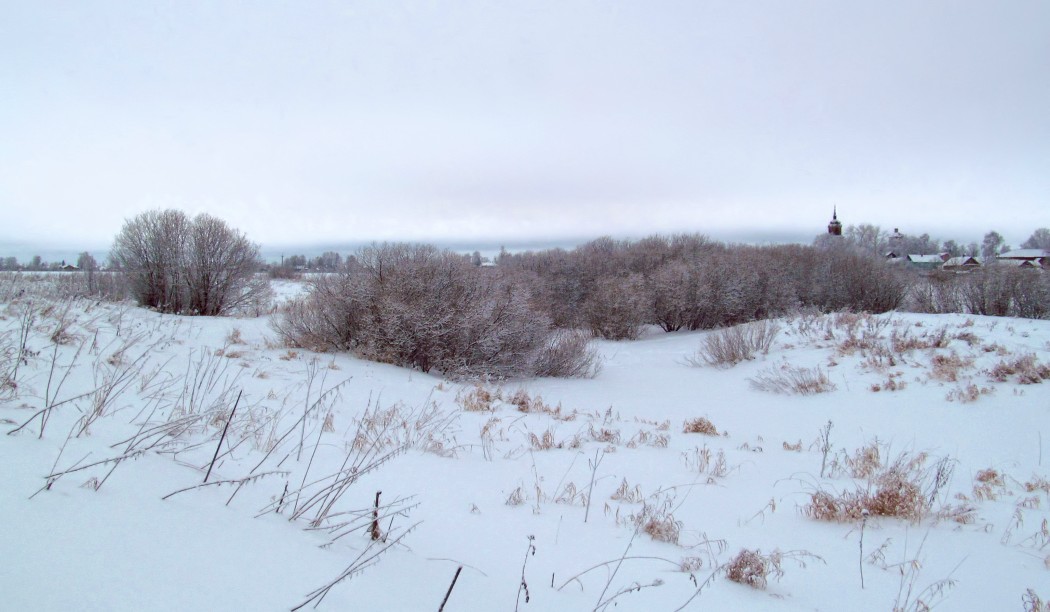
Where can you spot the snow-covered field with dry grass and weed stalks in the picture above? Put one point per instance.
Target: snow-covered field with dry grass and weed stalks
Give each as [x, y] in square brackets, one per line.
[551, 495]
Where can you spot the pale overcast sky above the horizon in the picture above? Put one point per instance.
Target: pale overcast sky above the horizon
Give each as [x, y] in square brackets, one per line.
[480, 120]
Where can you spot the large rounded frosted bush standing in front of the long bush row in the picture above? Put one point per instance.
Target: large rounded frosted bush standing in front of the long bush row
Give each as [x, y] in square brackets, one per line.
[418, 307]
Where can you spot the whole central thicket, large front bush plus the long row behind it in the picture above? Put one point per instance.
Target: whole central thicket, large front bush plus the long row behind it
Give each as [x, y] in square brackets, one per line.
[534, 314]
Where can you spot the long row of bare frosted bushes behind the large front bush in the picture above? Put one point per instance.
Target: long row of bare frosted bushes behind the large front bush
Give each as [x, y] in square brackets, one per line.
[615, 288]
